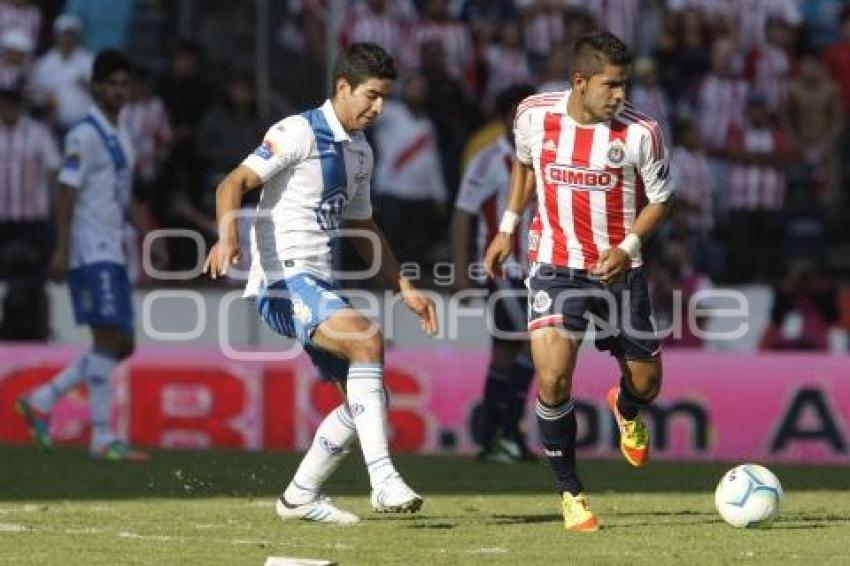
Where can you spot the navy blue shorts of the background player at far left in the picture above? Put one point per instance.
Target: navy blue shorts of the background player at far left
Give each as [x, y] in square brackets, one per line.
[100, 293]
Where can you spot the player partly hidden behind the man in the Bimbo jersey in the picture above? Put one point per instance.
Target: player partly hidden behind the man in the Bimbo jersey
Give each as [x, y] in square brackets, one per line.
[483, 194]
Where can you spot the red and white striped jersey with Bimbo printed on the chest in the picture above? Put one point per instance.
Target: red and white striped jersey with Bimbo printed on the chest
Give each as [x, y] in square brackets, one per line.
[591, 180]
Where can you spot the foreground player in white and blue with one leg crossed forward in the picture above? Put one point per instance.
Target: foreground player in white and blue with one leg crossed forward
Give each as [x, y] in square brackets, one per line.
[315, 170]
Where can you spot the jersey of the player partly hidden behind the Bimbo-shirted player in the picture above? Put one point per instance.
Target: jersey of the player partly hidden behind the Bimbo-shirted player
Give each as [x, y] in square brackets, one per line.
[484, 192]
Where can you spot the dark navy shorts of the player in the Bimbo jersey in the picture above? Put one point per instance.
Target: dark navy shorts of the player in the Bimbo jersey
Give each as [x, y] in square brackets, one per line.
[621, 313]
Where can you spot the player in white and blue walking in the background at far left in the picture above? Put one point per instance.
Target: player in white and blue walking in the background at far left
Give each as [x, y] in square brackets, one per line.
[94, 201]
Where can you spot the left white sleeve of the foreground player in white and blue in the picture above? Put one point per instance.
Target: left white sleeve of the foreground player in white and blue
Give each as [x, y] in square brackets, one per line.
[286, 143]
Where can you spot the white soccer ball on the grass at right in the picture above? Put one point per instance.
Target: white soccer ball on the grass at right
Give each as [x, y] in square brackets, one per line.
[748, 496]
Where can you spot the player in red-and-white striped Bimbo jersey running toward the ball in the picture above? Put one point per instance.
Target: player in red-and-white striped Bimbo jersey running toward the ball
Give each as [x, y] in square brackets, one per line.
[592, 159]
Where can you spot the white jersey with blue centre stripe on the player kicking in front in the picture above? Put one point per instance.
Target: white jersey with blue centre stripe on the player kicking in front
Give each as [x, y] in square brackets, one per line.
[315, 175]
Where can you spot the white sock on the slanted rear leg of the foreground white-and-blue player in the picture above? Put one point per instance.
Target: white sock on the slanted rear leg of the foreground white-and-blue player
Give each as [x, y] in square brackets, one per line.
[332, 441]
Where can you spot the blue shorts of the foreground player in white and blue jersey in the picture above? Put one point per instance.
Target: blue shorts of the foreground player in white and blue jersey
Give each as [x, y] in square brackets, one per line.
[294, 307]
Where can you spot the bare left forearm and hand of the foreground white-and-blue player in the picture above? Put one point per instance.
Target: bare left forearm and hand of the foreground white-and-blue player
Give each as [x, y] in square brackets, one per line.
[228, 201]
